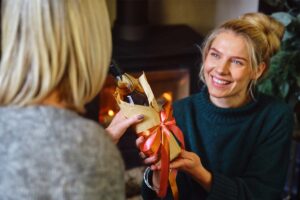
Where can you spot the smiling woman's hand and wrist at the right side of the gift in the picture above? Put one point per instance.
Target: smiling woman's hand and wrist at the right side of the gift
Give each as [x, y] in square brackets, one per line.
[190, 163]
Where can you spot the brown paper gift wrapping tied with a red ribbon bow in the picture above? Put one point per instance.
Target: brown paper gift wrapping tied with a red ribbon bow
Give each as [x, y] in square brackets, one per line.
[162, 136]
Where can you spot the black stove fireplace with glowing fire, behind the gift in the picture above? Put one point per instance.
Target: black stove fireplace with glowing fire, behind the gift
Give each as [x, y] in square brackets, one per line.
[169, 55]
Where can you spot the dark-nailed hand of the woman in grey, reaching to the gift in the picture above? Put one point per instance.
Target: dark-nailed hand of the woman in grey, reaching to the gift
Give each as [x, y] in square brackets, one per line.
[120, 124]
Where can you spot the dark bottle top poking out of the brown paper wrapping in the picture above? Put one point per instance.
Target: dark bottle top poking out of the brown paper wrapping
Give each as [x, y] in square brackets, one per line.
[129, 87]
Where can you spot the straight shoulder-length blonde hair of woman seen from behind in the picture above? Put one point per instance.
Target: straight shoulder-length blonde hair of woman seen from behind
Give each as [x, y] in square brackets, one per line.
[48, 45]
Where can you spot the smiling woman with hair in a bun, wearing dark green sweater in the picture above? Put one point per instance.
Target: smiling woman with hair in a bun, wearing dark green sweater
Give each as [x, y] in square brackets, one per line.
[237, 139]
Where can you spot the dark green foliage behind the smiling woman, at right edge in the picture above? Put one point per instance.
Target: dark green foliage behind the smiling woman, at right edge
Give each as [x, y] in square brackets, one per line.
[283, 79]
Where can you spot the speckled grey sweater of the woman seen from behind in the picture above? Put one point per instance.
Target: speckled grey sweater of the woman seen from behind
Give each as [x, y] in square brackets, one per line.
[48, 153]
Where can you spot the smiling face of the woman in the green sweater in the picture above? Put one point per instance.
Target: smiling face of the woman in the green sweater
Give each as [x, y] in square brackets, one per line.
[227, 70]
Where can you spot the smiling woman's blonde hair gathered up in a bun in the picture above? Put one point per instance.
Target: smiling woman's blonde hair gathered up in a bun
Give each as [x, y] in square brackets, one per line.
[262, 34]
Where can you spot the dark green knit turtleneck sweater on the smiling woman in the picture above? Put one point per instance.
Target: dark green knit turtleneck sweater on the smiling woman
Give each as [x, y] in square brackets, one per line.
[246, 149]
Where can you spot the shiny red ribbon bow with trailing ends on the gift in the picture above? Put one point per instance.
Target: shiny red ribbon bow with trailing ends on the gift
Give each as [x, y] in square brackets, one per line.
[157, 143]
